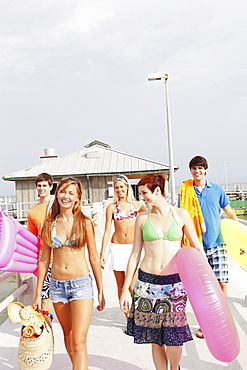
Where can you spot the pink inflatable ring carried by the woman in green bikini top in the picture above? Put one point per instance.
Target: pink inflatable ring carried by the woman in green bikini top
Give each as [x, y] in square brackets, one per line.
[209, 304]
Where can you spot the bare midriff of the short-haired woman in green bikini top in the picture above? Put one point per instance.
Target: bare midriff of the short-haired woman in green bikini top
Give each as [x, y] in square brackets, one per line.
[160, 257]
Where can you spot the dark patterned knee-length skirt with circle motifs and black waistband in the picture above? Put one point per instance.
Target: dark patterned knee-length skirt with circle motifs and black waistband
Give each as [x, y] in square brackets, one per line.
[157, 313]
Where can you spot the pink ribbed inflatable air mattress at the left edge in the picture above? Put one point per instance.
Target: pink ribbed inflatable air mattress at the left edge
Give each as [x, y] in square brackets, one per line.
[18, 246]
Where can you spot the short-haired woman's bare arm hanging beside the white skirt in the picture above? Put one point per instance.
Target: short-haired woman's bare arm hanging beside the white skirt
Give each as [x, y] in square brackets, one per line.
[132, 265]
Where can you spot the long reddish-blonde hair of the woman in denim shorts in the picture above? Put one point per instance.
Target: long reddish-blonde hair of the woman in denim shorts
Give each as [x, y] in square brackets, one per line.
[78, 230]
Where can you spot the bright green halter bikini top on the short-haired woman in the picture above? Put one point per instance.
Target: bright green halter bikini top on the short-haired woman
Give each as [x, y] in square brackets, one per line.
[174, 233]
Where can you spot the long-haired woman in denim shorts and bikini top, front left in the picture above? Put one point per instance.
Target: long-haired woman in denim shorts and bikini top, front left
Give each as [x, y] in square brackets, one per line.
[67, 233]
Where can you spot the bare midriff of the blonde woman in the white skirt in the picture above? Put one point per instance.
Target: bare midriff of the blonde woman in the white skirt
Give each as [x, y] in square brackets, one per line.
[124, 232]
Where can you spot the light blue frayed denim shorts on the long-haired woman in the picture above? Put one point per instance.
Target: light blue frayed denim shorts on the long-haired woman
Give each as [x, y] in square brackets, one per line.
[69, 290]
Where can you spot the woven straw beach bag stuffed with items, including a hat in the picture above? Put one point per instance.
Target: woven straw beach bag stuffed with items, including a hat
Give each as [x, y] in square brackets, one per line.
[36, 344]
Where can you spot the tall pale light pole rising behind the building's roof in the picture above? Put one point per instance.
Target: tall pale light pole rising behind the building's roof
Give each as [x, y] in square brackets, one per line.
[155, 77]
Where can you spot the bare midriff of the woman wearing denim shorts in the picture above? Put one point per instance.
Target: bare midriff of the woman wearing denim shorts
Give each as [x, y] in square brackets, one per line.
[66, 266]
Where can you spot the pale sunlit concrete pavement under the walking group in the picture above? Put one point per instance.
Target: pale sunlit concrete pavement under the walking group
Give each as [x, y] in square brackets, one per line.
[110, 349]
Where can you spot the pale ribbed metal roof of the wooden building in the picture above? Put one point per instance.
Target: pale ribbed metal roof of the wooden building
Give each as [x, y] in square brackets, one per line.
[94, 160]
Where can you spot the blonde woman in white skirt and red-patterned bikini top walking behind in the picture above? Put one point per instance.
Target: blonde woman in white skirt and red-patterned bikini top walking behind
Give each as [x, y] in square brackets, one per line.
[123, 212]
